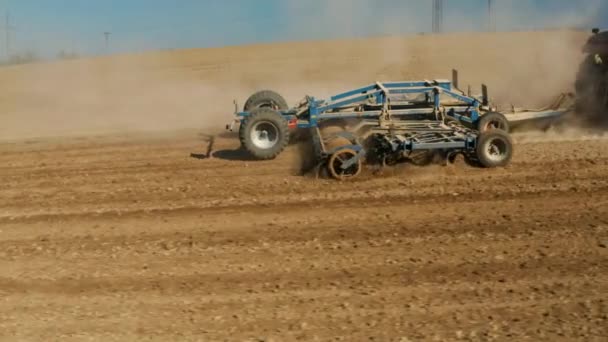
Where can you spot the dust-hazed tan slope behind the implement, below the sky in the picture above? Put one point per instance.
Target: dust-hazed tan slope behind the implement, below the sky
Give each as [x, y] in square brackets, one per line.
[195, 88]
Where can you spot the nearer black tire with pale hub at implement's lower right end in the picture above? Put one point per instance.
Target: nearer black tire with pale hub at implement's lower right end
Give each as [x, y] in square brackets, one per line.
[494, 149]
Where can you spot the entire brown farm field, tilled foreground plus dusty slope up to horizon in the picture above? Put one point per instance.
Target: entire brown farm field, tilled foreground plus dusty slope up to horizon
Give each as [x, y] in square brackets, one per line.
[117, 224]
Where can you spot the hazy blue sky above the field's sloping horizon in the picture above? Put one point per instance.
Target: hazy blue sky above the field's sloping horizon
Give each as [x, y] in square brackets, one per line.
[49, 26]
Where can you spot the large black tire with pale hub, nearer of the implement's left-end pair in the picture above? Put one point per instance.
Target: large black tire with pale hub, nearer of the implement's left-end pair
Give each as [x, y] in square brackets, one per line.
[265, 133]
